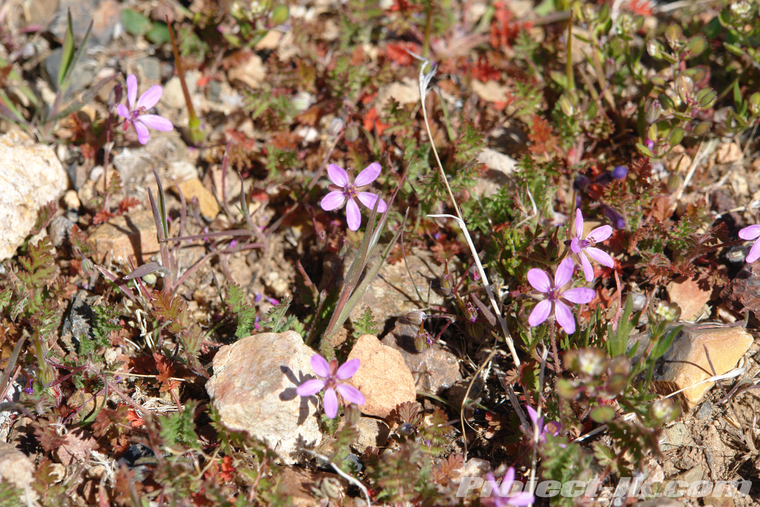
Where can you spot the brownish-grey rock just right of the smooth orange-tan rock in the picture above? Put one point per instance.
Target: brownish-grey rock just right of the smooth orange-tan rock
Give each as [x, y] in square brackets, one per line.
[434, 370]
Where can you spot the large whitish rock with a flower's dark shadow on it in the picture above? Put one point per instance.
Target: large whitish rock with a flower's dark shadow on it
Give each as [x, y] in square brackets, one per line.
[254, 390]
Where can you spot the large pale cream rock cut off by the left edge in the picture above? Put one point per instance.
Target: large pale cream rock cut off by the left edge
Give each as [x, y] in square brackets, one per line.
[30, 177]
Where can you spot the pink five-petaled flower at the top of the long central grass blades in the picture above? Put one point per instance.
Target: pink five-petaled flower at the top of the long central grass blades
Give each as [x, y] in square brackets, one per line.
[343, 190]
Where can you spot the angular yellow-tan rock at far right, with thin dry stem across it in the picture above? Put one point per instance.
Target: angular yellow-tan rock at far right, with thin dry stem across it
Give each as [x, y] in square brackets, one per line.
[685, 364]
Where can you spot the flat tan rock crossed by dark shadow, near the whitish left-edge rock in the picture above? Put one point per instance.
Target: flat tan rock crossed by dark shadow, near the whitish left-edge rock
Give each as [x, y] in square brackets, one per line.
[133, 234]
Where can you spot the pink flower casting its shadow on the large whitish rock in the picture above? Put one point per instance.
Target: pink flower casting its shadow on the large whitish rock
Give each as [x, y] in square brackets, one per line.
[331, 382]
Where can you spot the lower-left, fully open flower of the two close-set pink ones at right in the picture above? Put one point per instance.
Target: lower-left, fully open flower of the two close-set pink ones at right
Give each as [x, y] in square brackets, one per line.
[555, 298]
